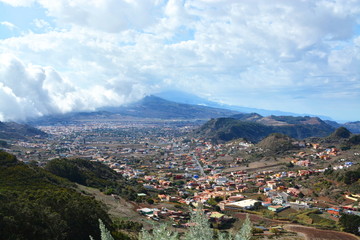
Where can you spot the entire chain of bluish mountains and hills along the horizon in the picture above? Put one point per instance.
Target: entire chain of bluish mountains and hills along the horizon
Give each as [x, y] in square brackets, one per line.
[225, 124]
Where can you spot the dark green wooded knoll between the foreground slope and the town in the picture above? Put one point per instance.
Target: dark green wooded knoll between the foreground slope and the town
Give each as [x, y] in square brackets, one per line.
[97, 175]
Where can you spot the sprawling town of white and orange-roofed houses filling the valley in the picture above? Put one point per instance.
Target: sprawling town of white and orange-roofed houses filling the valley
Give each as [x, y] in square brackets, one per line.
[230, 179]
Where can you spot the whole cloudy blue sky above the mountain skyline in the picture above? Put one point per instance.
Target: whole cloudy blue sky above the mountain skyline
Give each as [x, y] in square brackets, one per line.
[299, 56]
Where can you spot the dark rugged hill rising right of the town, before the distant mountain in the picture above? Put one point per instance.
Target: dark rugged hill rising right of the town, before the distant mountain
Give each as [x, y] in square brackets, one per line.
[254, 127]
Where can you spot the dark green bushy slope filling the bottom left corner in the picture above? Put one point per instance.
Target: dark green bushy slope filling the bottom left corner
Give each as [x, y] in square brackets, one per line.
[35, 204]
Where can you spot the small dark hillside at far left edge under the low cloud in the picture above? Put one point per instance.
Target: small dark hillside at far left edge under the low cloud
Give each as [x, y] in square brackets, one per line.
[12, 130]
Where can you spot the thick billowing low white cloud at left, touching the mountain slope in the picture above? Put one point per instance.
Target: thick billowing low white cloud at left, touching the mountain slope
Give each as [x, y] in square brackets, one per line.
[32, 91]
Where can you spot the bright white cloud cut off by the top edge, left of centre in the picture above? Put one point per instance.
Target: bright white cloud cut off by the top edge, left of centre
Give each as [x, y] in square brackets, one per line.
[104, 15]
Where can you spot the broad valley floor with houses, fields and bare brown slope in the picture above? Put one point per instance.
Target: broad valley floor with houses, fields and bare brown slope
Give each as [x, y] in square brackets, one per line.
[170, 167]
